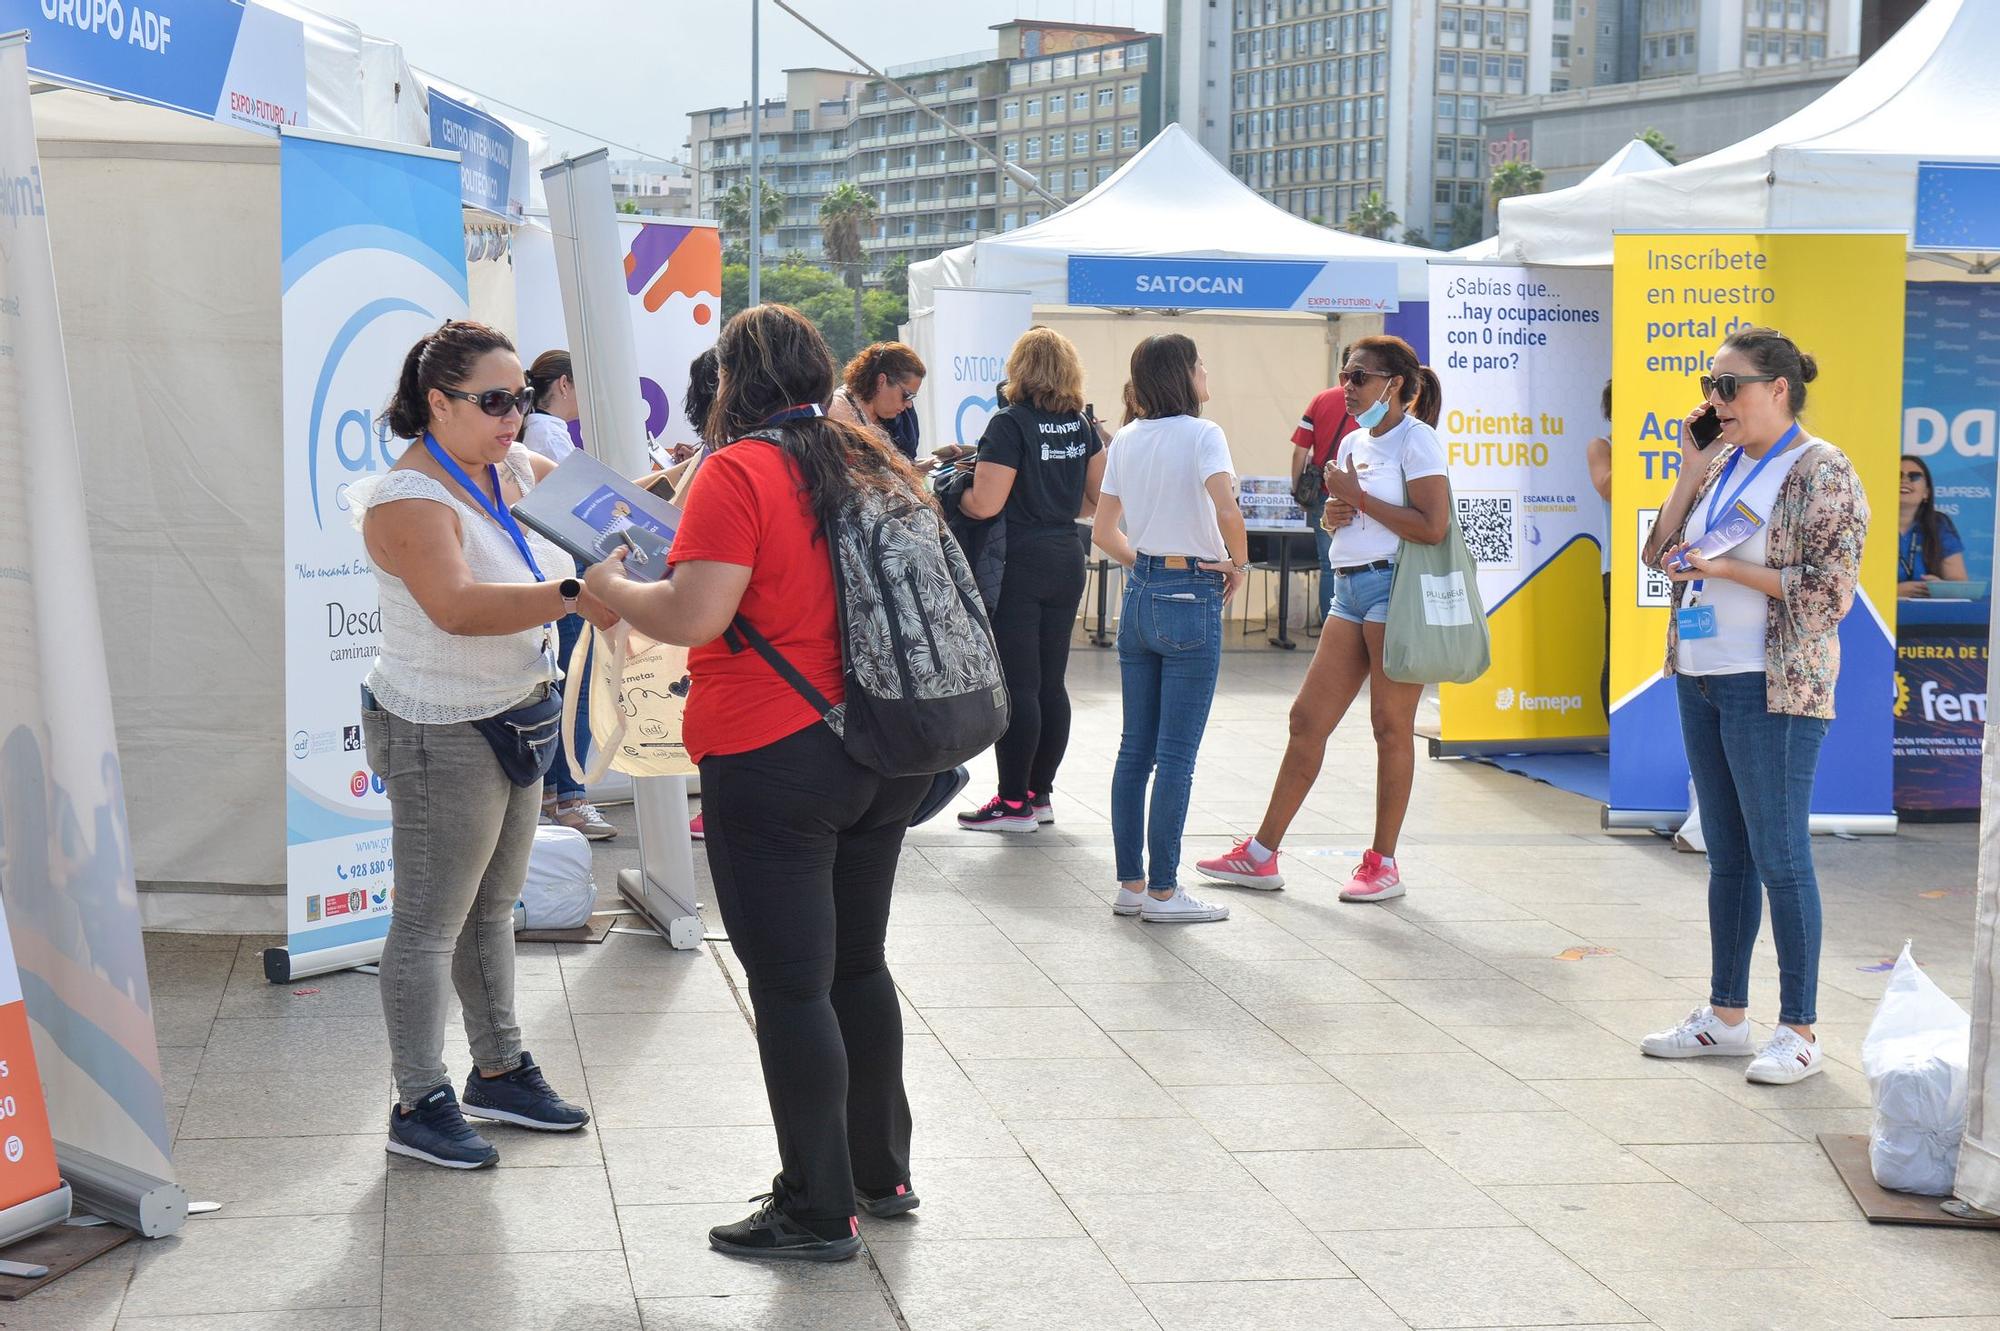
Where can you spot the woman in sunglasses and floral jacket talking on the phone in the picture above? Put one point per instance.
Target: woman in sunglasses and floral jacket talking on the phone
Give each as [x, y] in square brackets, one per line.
[1755, 647]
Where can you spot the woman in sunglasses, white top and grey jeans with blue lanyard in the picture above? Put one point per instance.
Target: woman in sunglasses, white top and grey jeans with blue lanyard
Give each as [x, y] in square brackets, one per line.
[467, 609]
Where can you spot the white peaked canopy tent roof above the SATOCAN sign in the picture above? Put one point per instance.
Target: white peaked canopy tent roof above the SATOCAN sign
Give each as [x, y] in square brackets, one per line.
[1169, 201]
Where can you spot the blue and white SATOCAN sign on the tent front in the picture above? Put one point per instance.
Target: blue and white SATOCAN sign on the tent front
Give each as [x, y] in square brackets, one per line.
[1339, 287]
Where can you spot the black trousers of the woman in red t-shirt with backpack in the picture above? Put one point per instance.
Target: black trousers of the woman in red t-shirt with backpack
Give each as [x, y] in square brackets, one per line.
[803, 848]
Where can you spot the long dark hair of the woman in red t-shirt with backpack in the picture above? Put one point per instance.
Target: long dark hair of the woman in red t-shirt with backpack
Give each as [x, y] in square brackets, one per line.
[773, 359]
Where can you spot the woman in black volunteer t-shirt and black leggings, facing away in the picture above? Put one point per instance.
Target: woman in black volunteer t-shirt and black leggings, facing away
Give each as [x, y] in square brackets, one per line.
[1041, 463]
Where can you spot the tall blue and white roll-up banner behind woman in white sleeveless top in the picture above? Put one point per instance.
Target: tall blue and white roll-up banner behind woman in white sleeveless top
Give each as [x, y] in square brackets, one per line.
[373, 261]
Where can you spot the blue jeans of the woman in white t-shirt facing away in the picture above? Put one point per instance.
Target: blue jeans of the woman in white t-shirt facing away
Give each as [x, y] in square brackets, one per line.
[1169, 655]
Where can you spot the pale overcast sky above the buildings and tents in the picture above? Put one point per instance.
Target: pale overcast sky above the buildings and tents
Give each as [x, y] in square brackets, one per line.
[631, 71]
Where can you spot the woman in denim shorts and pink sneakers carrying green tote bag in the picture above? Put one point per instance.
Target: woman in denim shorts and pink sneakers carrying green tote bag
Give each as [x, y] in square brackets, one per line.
[1387, 489]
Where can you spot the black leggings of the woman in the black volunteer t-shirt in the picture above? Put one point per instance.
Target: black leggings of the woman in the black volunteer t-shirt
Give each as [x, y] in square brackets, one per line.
[1039, 597]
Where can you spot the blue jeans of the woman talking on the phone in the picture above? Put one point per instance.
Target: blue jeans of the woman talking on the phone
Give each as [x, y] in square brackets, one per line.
[1753, 774]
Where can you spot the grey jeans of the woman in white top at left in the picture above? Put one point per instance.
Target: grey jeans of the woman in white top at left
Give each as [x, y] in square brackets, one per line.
[463, 834]
